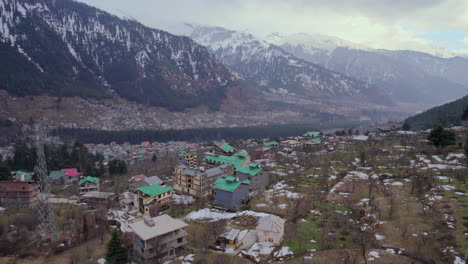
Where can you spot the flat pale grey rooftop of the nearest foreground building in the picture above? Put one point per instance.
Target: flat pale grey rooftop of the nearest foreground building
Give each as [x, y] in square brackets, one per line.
[163, 224]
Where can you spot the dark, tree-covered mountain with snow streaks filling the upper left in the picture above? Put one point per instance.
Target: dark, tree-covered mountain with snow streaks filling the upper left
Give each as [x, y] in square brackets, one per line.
[69, 48]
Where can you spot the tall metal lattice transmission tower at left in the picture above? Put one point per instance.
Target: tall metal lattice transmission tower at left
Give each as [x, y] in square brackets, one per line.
[47, 223]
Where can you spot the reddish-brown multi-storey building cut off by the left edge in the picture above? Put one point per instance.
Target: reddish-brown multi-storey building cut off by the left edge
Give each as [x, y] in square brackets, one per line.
[18, 194]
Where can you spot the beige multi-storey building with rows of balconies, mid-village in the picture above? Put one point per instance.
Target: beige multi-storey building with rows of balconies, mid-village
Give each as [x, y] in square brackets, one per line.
[199, 182]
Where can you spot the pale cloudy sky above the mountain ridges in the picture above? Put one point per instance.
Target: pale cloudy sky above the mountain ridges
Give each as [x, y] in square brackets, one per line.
[434, 26]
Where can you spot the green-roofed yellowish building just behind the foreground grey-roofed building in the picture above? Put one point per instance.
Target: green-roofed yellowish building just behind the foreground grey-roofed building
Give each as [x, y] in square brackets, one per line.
[152, 195]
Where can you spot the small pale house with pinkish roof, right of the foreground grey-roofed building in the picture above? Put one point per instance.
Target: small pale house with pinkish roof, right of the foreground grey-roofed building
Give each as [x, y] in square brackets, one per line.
[270, 229]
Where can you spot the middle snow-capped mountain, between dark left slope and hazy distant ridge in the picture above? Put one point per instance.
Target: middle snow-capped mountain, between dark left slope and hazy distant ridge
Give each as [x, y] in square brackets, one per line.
[276, 70]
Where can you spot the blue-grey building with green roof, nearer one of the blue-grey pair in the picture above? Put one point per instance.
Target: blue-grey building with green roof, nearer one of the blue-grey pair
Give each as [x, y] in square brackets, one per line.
[230, 192]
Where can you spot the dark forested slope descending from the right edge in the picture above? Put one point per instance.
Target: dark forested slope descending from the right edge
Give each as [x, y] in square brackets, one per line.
[446, 115]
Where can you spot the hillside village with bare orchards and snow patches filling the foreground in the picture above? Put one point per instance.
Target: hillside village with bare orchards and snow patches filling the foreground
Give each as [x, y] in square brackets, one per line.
[385, 197]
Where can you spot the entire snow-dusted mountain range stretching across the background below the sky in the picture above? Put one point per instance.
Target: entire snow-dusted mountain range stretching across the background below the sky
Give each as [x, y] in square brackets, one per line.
[67, 48]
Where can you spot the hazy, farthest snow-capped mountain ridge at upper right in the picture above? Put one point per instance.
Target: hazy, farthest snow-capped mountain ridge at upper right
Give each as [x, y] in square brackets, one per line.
[407, 76]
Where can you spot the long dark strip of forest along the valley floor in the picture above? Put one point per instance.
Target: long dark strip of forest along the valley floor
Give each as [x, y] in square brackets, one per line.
[194, 135]
